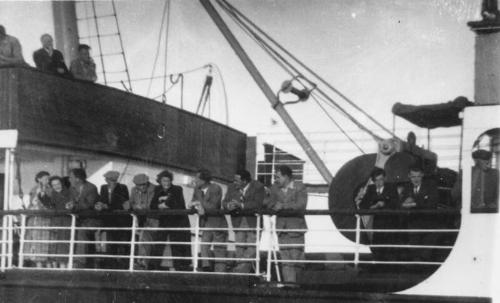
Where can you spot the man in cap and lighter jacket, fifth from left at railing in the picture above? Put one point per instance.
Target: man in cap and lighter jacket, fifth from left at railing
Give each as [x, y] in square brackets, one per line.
[141, 196]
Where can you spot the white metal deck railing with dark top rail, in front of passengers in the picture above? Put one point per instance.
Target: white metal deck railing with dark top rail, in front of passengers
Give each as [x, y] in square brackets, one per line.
[273, 262]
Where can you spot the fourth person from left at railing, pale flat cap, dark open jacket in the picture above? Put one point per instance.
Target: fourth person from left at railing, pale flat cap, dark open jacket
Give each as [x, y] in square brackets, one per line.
[113, 196]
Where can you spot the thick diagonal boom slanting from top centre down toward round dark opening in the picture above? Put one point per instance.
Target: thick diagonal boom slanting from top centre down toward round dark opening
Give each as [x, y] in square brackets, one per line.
[268, 92]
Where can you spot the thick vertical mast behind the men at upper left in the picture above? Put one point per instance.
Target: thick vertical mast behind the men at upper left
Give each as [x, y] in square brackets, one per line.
[65, 28]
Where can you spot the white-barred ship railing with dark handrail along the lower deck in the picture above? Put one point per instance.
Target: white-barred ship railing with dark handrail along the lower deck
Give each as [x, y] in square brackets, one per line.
[22, 228]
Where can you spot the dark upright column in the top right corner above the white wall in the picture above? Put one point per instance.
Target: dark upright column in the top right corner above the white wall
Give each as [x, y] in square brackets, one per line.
[487, 50]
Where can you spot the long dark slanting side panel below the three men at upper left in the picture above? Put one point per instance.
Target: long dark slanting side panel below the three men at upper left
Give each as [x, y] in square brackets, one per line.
[51, 111]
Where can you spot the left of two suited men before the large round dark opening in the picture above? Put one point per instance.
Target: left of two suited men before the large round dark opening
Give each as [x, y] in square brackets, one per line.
[381, 195]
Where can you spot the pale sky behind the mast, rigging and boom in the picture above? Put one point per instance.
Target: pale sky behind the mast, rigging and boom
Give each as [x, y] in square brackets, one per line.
[375, 52]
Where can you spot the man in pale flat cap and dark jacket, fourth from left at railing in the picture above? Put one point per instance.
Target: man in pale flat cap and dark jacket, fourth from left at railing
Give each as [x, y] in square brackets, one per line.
[113, 196]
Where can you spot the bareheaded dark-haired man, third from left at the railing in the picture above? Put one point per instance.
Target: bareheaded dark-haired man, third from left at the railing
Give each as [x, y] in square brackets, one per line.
[83, 197]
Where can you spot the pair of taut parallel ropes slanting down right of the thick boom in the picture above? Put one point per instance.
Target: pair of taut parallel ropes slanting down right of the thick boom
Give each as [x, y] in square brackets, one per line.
[247, 23]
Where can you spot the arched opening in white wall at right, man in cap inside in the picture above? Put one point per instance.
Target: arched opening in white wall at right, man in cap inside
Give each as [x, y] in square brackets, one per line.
[485, 171]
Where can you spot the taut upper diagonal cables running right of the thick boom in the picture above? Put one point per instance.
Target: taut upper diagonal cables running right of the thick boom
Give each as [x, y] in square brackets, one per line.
[228, 6]
